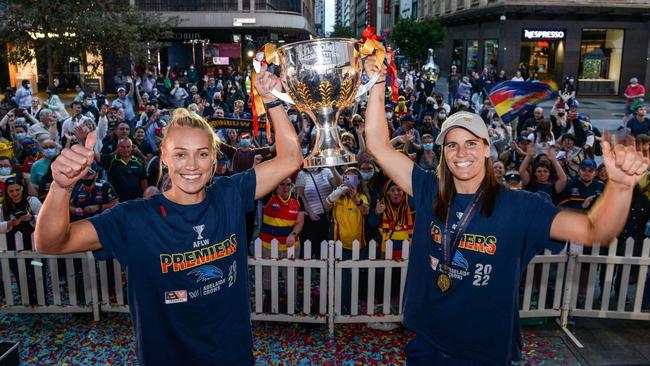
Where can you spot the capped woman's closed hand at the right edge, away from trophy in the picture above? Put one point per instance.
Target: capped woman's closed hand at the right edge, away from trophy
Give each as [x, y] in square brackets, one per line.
[625, 165]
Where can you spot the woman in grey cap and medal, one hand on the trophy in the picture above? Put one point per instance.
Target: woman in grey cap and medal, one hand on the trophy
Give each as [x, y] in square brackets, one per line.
[472, 238]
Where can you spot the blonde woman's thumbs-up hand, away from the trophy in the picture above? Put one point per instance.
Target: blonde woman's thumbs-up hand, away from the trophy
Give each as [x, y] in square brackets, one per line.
[73, 163]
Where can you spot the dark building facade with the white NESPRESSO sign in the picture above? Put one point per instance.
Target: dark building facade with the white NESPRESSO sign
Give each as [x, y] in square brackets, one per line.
[602, 43]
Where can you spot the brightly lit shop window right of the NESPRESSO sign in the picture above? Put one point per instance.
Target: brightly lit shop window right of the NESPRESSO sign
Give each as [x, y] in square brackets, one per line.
[601, 56]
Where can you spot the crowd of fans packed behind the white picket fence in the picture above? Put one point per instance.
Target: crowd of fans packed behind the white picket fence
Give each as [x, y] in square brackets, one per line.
[552, 151]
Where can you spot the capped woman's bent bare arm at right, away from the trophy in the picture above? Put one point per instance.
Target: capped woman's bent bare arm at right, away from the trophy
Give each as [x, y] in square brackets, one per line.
[625, 168]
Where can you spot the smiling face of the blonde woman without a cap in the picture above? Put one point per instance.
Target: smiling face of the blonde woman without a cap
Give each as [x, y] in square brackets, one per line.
[189, 157]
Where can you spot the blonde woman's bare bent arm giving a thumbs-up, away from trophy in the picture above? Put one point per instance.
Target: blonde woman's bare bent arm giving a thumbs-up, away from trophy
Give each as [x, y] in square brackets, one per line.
[54, 233]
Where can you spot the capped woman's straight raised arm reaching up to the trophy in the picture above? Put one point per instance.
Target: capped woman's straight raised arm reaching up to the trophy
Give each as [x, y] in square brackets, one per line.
[396, 165]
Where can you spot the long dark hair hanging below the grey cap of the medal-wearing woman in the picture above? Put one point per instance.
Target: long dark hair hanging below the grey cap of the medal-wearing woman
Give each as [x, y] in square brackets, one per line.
[447, 188]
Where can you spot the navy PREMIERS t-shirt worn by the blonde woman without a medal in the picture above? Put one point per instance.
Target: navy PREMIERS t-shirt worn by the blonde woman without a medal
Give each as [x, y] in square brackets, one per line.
[187, 273]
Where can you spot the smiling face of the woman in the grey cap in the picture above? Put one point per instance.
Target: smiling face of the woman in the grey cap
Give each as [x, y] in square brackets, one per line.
[465, 156]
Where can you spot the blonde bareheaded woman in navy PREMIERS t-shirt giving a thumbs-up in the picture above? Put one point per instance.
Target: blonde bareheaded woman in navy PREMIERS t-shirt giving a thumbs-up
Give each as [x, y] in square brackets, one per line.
[187, 271]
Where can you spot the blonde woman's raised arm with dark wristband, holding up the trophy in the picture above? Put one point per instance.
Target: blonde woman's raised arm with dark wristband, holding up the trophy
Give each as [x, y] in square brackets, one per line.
[288, 157]
